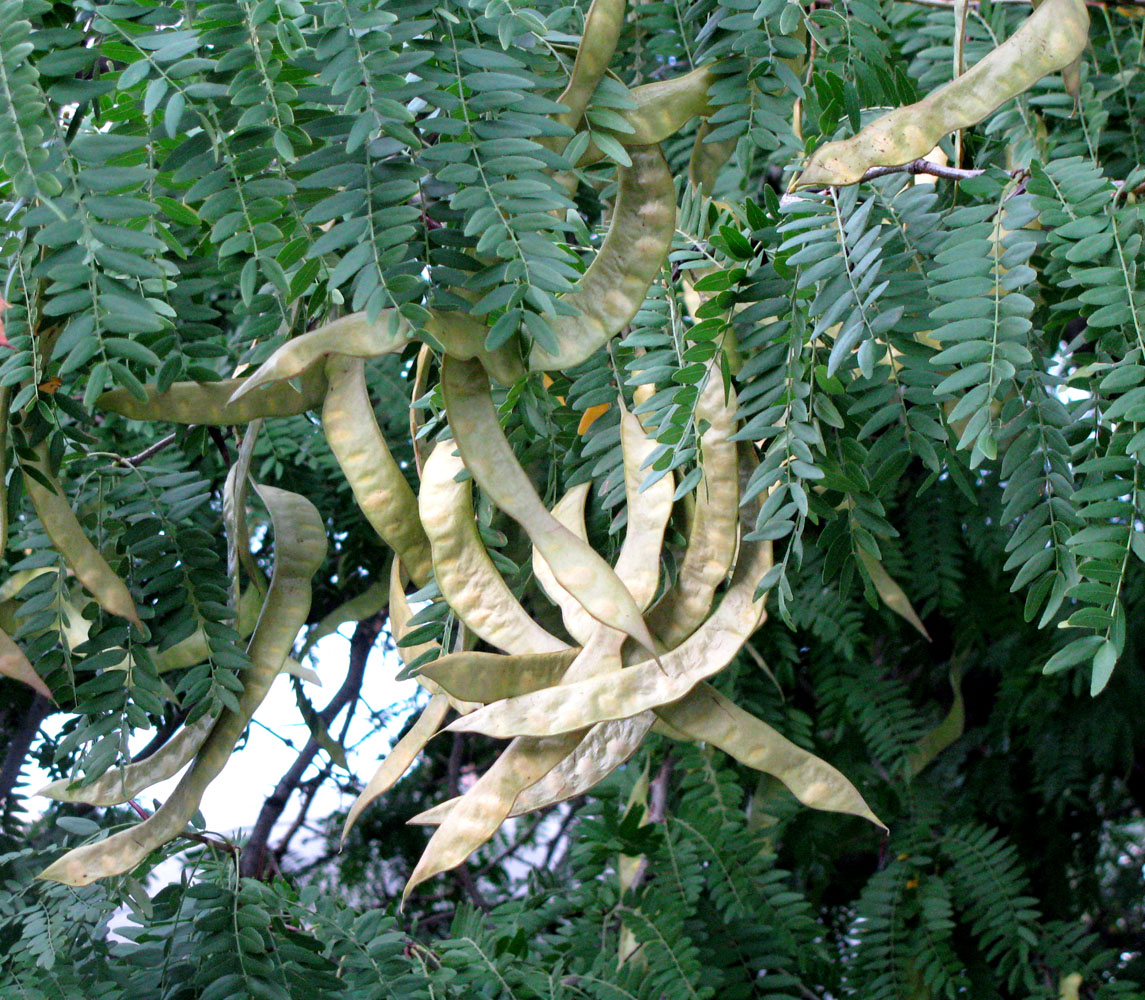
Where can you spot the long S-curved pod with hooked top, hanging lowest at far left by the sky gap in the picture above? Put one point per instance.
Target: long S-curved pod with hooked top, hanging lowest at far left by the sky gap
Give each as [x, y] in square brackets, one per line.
[301, 548]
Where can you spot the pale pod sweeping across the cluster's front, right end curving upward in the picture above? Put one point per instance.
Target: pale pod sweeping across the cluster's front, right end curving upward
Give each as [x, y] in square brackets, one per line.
[629, 692]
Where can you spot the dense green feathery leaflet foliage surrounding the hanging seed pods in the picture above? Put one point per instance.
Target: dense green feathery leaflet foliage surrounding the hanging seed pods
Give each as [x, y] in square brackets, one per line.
[184, 186]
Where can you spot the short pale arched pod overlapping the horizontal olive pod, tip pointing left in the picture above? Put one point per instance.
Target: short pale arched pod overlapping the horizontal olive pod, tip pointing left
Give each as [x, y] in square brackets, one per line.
[353, 336]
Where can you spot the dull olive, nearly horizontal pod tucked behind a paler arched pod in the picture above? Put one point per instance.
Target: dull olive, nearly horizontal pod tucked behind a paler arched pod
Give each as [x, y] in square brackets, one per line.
[209, 403]
